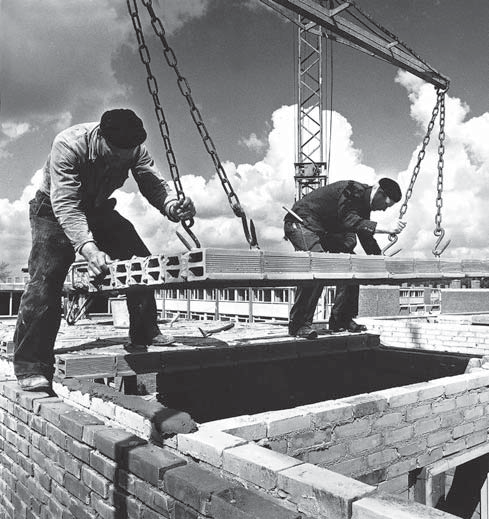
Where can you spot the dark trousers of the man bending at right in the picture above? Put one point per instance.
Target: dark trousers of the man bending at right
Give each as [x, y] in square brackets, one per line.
[345, 305]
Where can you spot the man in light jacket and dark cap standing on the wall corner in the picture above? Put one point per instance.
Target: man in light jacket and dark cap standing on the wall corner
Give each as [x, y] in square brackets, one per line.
[72, 213]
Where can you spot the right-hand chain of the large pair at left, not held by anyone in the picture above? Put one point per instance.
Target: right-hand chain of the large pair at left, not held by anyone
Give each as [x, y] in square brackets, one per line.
[184, 87]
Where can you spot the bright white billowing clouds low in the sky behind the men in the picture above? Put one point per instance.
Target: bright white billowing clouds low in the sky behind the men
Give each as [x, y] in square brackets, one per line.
[268, 184]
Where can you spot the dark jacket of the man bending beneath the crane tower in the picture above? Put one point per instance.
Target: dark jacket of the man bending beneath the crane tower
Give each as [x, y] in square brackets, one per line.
[339, 208]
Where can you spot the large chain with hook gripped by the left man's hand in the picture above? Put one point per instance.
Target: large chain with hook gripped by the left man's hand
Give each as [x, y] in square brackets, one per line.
[160, 115]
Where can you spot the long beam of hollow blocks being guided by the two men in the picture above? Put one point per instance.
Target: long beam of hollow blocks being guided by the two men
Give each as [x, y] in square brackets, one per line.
[209, 264]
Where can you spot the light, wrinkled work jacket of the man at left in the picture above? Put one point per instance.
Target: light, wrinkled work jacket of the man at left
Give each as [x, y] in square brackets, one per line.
[79, 177]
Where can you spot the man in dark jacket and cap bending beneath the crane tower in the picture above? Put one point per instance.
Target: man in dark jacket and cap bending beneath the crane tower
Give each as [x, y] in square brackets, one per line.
[329, 219]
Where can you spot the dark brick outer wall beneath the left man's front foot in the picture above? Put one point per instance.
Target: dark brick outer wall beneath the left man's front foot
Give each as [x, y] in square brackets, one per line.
[59, 460]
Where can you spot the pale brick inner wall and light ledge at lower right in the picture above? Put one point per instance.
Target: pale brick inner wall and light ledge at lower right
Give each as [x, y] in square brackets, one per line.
[378, 438]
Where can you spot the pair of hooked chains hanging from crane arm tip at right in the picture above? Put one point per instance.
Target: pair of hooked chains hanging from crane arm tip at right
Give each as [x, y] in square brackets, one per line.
[438, 109]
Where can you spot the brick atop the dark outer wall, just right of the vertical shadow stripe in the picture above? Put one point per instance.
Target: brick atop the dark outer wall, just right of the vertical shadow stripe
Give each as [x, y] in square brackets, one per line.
[150, 463]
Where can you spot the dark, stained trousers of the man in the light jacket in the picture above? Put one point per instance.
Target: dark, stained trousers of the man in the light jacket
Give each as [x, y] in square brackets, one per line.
[51, 255]
